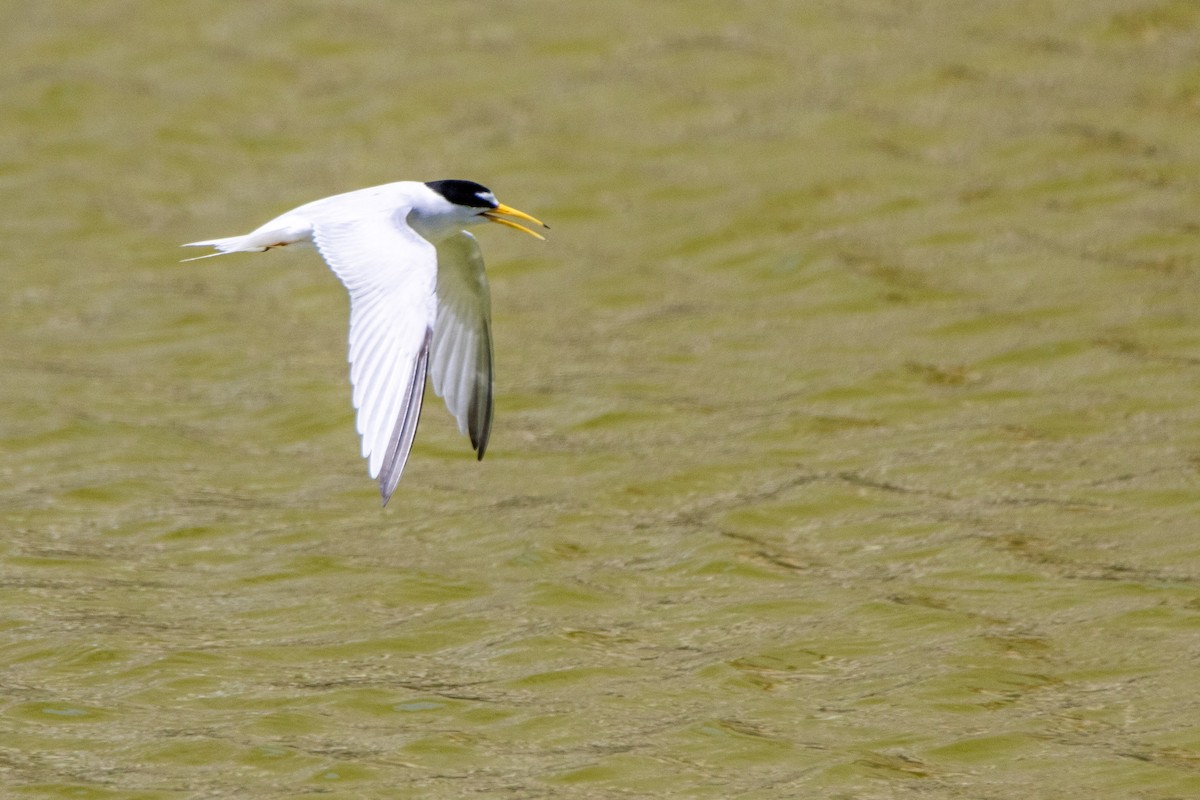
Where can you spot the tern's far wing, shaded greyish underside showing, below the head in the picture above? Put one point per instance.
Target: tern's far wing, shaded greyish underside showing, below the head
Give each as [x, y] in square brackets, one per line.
[461, 362]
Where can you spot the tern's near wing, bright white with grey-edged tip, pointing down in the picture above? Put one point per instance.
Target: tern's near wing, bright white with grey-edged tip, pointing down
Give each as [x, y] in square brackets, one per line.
[392, 276]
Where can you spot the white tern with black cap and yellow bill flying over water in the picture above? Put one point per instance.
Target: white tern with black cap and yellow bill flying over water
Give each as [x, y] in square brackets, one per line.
[419, 303]
